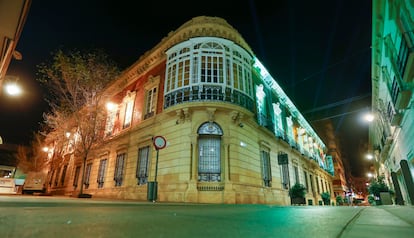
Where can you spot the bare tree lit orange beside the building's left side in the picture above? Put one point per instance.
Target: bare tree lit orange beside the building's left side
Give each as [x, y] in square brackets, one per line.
[76, 82]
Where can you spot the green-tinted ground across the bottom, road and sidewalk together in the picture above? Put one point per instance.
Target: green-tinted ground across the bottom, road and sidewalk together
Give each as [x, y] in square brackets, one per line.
[47, 216]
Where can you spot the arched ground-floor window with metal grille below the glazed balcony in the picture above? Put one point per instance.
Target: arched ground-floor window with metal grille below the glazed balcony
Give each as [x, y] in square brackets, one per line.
[209, 162]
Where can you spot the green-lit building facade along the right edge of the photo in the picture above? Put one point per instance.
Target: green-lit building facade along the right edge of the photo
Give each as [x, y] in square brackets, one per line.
[392, 131]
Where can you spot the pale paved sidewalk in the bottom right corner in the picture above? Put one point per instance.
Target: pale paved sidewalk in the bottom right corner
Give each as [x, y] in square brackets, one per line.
[382, 221]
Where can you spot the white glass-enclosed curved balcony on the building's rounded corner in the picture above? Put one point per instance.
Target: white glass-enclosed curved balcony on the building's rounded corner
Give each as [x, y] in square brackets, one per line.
[208, 69]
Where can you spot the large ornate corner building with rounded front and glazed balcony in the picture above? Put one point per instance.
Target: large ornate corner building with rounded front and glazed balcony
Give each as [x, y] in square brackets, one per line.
[232, 134]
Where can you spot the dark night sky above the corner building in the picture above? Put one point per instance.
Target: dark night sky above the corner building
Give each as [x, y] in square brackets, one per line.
[319, 51]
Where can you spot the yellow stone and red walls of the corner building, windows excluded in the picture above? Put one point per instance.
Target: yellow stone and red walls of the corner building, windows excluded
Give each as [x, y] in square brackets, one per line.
[242, 140]
